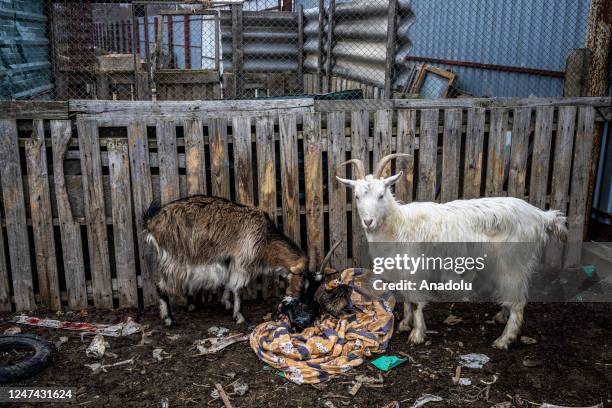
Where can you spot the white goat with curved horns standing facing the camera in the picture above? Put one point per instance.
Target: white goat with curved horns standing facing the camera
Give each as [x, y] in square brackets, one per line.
[504, 219]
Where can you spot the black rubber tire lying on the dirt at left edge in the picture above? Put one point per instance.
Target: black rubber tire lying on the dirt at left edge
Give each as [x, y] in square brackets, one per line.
[30, 366]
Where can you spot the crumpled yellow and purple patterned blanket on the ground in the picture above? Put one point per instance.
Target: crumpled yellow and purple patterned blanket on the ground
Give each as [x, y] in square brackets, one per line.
[331, 346]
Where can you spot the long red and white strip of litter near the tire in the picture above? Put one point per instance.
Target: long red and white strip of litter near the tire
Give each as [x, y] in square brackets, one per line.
[125, 328]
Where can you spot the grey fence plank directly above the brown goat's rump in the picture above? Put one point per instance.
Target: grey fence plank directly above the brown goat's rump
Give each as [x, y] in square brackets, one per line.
[168, 161]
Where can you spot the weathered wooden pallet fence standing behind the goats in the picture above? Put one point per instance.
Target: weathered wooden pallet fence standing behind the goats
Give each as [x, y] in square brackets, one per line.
[75, 181]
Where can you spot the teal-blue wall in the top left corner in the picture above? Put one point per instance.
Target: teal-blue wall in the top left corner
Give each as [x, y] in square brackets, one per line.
[25, 68]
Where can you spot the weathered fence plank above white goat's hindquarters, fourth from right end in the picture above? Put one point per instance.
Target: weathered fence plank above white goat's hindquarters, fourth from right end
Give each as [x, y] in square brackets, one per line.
[518, 152]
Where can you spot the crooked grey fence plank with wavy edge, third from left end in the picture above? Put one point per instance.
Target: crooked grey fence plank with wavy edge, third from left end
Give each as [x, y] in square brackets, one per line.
[70, 232]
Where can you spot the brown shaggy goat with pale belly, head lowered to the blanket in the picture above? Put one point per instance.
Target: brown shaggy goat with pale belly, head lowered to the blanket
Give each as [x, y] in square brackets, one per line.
[205, 243]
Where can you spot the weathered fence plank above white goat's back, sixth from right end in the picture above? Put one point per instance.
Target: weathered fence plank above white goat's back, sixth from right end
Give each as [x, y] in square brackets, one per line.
[474, 151]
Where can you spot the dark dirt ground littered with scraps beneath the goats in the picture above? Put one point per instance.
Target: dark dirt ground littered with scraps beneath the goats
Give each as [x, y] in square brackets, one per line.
[572, 358]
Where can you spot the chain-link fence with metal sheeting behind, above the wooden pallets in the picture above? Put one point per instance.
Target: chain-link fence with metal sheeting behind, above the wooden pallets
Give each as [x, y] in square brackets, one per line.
[146, 50]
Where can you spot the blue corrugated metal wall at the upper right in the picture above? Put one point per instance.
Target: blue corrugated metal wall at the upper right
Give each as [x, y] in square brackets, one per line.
[521, 33]
